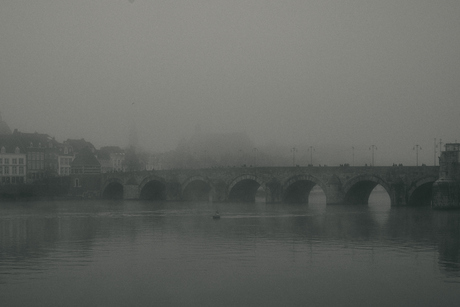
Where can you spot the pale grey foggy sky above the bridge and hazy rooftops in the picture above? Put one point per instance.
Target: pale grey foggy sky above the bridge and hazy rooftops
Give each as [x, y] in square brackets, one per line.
[335, 73]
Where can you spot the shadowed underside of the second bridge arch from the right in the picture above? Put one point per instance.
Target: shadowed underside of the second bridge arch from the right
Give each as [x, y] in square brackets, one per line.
[358, 189]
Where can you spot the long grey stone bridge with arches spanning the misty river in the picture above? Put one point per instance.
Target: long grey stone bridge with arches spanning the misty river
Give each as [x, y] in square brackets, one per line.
[405, 185]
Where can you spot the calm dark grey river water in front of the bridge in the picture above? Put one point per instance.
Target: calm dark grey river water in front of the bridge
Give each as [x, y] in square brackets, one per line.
[134, 253]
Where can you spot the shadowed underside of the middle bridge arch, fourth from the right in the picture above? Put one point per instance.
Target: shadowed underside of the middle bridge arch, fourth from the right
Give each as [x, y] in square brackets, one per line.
[243, 188]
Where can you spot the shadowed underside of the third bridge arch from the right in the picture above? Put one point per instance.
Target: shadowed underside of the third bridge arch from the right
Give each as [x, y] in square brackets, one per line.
[297, 188]
